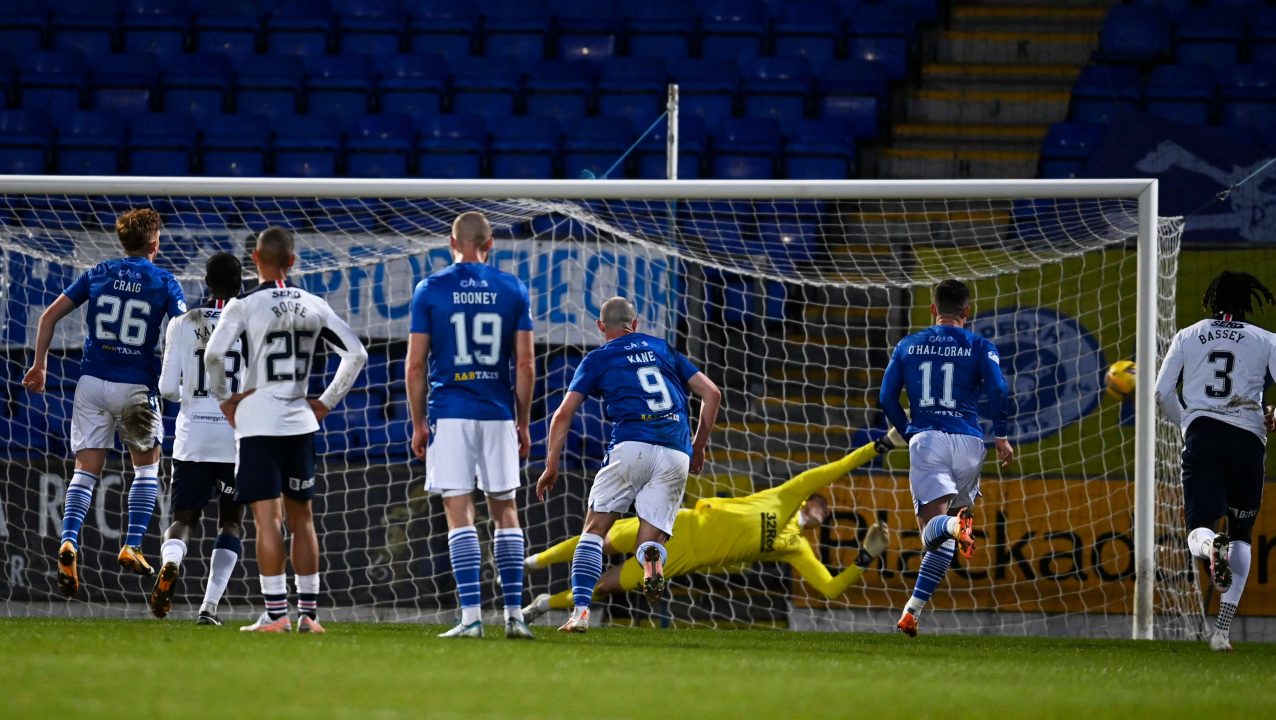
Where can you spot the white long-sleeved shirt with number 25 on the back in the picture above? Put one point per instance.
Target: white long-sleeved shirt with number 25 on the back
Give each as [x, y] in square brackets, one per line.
[281, 327]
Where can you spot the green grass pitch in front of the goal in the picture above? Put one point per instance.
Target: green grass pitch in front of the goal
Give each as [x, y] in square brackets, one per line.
[141, 671]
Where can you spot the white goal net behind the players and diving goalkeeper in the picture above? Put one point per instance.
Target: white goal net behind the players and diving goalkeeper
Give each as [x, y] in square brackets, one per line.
[789, 296]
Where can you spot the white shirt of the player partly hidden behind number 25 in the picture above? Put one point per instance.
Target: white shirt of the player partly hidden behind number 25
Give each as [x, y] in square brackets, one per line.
[204, 435]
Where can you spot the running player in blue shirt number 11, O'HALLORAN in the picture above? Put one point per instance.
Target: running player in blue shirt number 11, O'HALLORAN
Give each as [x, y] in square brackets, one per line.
[945, 370]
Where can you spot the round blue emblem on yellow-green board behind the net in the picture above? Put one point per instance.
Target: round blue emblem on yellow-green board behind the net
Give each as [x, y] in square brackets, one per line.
[1052, 364]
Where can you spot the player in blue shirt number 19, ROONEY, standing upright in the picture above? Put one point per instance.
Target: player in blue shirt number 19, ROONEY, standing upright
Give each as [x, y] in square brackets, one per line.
[471, 412]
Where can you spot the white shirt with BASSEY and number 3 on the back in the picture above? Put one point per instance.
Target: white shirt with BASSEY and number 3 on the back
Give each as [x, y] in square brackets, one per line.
[1224, 366]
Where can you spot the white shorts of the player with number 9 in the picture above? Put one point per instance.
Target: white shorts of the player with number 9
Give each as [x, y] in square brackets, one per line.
[650, 478]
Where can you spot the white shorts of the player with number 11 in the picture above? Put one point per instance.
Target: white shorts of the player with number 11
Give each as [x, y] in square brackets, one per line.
[945, 464]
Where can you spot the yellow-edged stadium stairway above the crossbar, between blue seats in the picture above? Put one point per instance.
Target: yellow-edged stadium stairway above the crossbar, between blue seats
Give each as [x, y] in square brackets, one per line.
[1000, 75]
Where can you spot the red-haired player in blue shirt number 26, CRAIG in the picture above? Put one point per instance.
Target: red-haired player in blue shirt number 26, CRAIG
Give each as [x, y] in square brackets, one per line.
[128, 301]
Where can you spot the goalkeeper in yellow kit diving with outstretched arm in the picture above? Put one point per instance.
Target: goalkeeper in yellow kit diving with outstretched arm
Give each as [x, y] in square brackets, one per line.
[723, 533]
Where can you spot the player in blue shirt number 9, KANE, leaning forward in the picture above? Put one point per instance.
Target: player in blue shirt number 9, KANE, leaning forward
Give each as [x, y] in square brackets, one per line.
[644, 384]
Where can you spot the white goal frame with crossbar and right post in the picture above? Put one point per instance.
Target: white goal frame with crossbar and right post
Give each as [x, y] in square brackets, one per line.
[1143, 191]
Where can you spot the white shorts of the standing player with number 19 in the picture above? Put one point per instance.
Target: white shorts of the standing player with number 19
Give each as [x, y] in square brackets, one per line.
[465, 455]
